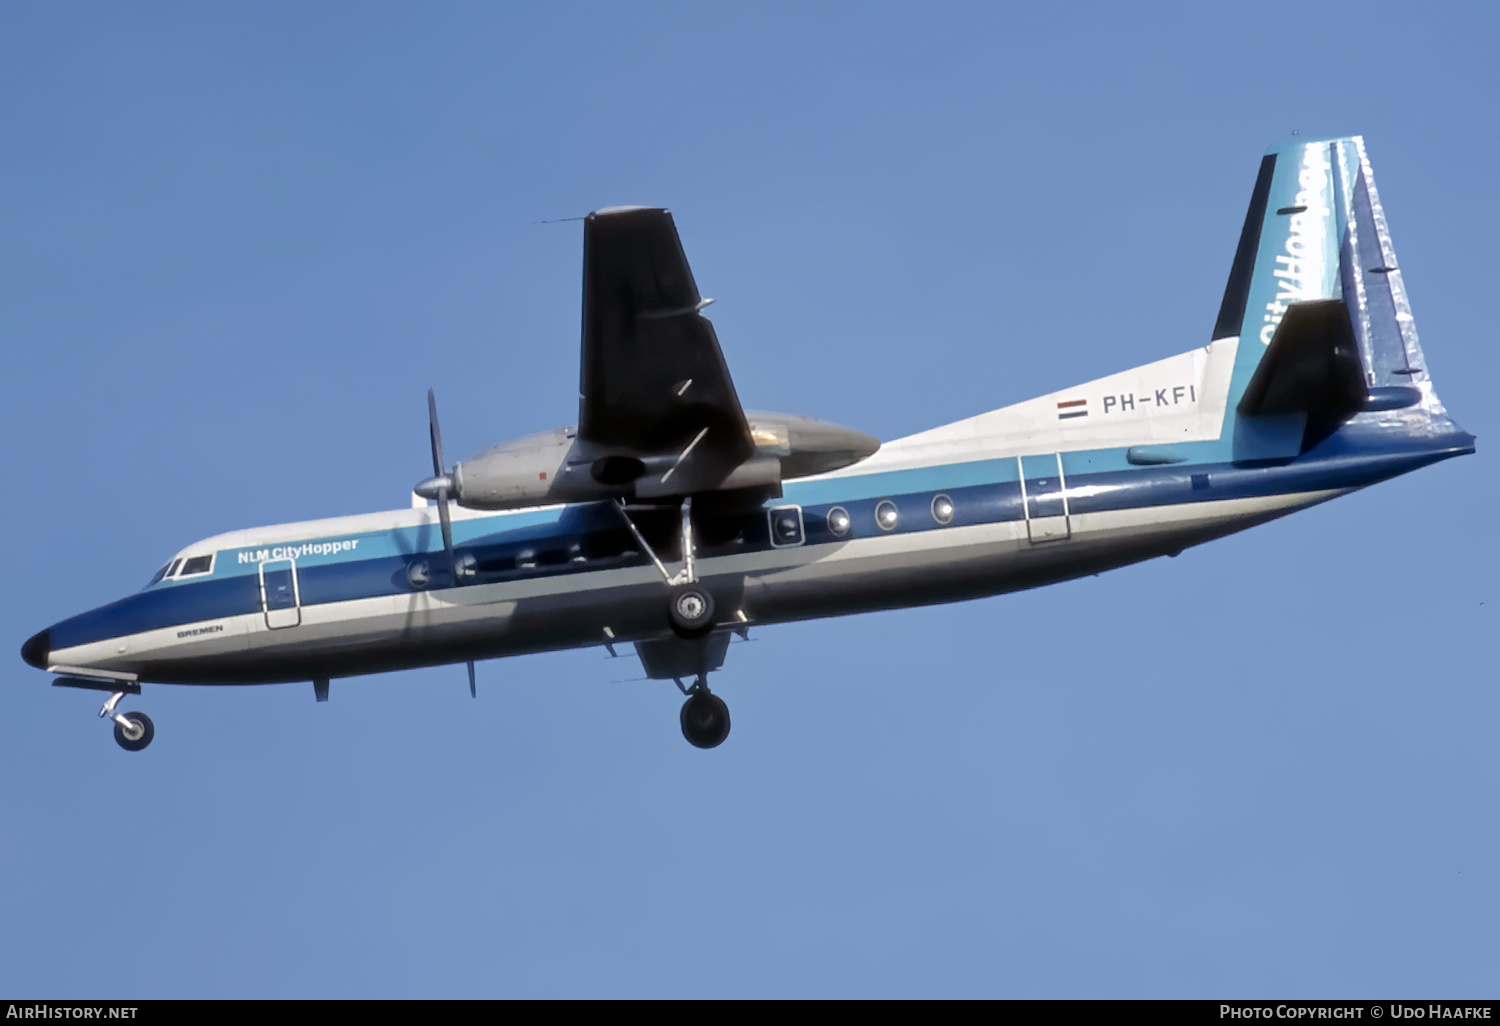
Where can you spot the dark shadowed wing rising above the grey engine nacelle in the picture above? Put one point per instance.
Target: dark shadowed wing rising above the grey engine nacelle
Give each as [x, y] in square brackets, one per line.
[655, 382]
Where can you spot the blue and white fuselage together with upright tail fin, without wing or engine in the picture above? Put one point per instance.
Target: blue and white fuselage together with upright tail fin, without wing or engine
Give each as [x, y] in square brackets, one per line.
[1124, 469]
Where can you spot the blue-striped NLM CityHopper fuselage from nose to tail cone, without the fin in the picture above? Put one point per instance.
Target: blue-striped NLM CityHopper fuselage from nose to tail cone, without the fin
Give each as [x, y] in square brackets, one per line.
[368, 593]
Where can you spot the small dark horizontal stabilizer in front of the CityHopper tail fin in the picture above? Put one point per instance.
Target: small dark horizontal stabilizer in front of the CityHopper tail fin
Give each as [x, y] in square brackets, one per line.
[1312, 367]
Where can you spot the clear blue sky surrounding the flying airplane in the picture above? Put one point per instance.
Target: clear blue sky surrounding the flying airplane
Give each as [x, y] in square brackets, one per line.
[238, 244]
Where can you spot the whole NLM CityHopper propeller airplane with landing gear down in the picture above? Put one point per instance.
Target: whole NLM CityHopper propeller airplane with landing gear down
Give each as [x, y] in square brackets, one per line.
[673, 520]
